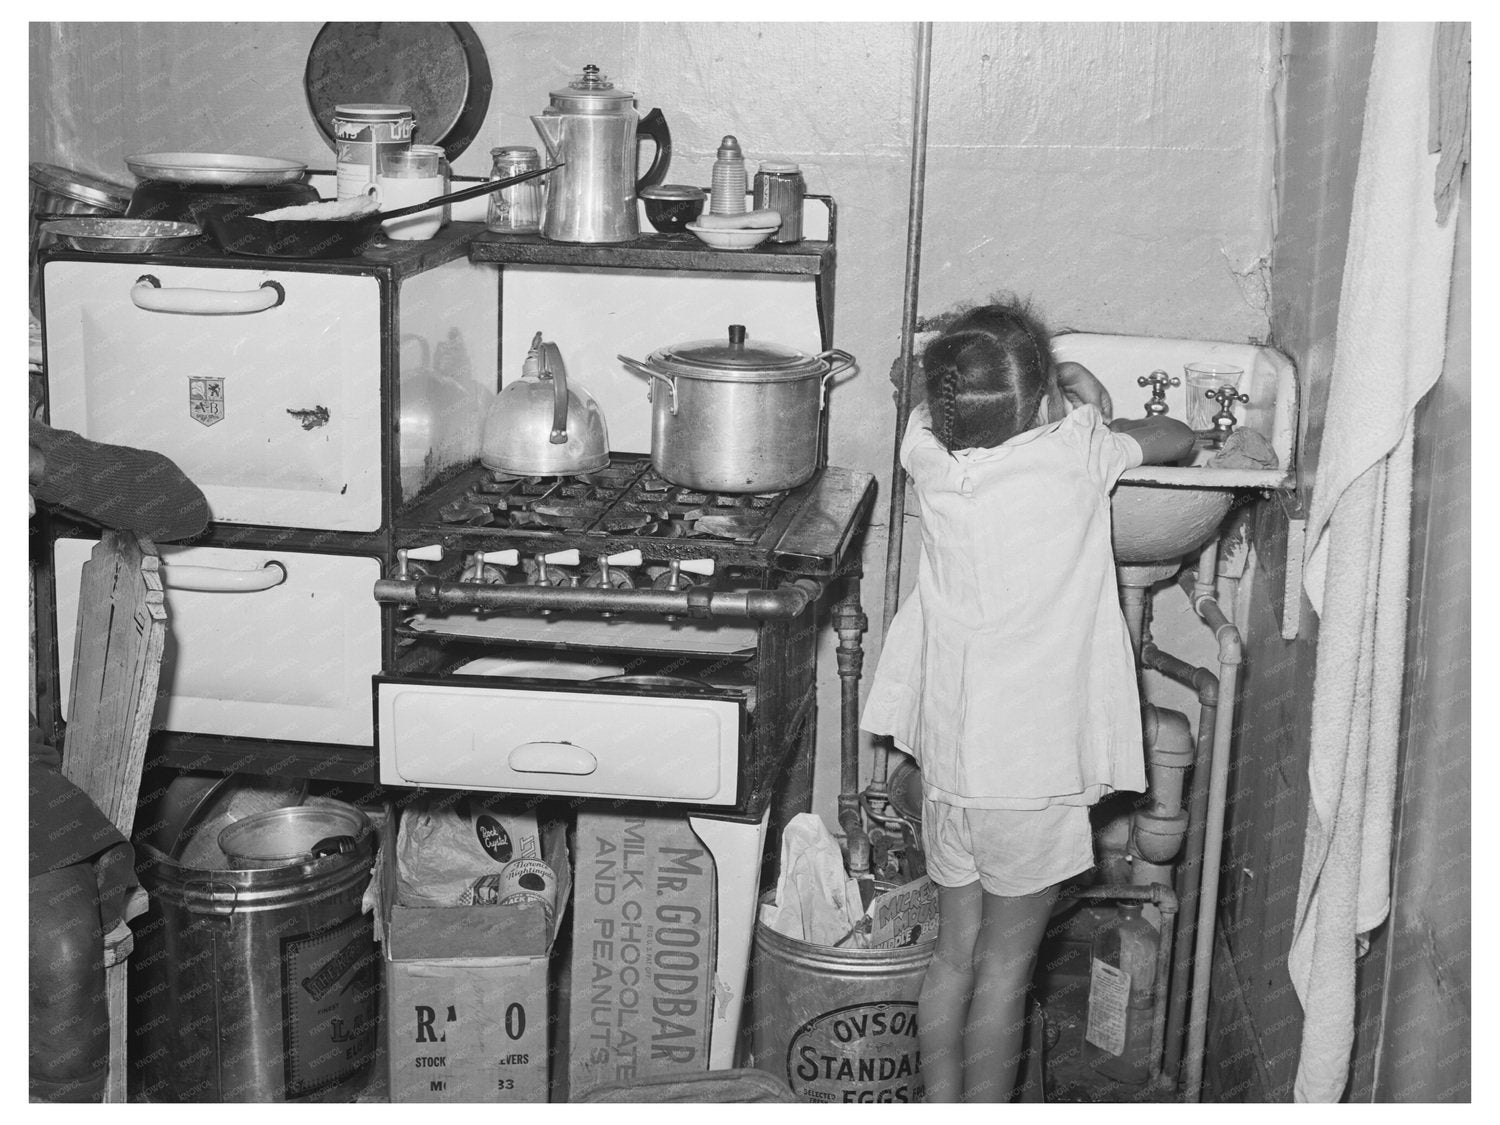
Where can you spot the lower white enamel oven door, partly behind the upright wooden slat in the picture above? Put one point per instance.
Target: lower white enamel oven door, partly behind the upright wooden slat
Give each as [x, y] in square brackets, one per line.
[262, 644]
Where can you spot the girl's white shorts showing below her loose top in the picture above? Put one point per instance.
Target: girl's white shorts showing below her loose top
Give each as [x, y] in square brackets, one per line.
[1010, 851]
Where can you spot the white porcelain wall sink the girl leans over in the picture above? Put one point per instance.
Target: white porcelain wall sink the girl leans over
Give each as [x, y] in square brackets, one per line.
[1163, 512]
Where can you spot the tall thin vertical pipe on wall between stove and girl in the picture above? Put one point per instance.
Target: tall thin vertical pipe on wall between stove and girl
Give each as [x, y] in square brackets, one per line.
[896, 529]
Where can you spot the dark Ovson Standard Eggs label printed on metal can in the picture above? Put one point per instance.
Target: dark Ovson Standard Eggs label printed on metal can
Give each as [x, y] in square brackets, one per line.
[863, 1054]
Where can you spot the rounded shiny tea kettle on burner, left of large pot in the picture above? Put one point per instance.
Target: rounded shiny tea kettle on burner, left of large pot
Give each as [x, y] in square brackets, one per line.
[541, 427]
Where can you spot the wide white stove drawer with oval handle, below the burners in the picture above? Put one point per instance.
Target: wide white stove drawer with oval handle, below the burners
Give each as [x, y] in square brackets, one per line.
[566, 743]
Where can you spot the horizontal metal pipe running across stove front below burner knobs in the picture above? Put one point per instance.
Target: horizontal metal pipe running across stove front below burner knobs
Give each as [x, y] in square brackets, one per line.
[761, 605]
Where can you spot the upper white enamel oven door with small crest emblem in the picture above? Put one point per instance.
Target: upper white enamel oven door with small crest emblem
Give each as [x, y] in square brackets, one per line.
[268, 400]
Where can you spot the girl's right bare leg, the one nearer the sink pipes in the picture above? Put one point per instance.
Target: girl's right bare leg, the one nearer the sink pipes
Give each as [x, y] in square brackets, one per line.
[1004, 958]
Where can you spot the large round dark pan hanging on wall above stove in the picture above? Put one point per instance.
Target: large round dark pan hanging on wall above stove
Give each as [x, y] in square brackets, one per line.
[439, 70]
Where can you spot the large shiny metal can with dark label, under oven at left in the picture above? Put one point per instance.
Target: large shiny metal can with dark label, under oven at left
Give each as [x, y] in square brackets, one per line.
[272, 980]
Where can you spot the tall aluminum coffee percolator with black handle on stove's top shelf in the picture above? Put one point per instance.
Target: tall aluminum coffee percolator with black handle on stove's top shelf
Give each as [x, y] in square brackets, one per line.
[590, 130]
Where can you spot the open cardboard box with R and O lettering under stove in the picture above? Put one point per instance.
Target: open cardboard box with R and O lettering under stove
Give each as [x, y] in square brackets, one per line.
[469, 1010]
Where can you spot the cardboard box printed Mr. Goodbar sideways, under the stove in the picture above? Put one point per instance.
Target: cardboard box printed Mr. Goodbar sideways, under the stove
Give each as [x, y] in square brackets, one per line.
[644, 950]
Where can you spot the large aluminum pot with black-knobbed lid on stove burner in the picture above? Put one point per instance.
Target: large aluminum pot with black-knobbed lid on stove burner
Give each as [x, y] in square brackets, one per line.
[733, 416]
